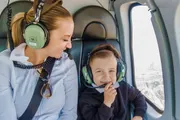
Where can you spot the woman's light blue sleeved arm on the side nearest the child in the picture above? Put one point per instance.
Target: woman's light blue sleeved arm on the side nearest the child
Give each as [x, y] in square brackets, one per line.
[69, 111]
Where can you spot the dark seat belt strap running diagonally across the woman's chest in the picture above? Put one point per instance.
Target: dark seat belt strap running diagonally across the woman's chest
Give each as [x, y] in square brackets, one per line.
[37, 97]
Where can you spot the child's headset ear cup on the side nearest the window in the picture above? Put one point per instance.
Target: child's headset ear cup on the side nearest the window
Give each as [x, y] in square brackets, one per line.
[120, 71]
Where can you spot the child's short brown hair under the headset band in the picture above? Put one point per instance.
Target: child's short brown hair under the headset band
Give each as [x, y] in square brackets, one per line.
[103, 51]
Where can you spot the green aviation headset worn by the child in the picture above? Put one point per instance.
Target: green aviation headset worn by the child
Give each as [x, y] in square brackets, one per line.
[121, 69]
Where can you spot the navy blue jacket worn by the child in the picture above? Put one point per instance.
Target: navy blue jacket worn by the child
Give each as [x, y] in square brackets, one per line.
[91, 105]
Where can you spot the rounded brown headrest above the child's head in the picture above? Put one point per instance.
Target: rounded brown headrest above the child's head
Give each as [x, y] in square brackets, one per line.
[94, 22]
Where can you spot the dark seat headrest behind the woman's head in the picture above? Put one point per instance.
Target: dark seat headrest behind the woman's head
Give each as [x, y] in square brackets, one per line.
[17, 6]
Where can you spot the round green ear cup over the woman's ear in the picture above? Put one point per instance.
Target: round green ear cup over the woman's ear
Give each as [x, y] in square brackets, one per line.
[35, 35]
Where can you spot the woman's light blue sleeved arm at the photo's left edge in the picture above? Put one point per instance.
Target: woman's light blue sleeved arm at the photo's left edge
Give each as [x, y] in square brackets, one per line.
[7, 107]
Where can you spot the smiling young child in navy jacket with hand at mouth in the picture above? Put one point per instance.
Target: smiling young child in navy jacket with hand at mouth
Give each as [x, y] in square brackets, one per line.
[112, 101]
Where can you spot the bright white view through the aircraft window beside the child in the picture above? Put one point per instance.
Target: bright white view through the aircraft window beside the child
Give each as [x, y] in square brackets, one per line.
[147, 63]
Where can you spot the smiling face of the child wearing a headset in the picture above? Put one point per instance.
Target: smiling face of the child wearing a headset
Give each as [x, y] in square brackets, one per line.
[104, 70]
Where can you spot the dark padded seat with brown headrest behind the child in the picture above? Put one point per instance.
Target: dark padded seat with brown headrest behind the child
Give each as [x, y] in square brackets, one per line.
[94, 25]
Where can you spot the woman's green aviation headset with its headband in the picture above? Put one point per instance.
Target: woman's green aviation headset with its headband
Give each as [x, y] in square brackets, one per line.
[35, 33]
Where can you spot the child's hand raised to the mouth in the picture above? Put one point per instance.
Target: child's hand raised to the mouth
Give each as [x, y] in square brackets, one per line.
[109, 94]
